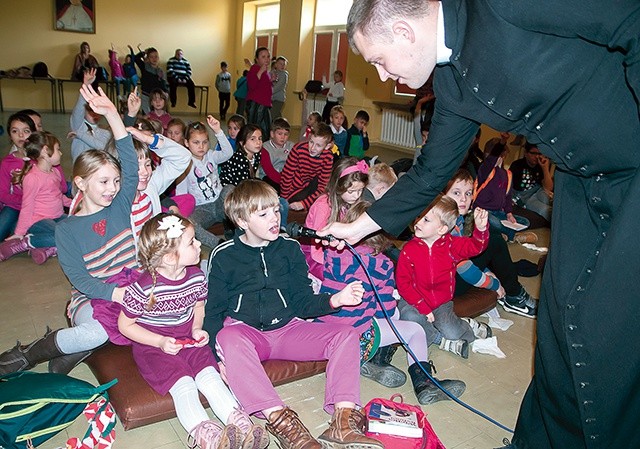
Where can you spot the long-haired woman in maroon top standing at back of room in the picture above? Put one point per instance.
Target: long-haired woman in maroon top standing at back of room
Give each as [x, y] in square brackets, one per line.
[259, 91]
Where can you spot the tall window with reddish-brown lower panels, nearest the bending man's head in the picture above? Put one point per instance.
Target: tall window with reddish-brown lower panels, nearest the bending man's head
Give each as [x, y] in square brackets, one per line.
[331, 47]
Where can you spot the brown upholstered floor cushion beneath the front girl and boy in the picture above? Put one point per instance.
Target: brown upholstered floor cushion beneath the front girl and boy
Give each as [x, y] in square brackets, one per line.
[138, 405]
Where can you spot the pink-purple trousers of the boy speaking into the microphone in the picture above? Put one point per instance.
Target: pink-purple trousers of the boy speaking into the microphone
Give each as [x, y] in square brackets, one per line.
[242, 348]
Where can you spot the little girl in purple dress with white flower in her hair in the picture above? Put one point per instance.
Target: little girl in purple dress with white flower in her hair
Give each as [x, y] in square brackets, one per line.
[162, 315]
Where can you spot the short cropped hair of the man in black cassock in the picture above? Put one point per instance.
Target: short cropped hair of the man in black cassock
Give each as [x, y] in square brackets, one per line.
[372, 17]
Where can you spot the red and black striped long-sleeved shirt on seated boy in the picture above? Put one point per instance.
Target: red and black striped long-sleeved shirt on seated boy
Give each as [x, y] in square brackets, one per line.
[301, 169]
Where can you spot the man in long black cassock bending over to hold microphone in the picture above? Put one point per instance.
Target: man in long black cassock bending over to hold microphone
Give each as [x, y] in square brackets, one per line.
[577, 101]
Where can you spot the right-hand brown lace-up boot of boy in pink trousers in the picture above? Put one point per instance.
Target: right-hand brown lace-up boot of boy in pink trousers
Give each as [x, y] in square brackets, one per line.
[346, 431]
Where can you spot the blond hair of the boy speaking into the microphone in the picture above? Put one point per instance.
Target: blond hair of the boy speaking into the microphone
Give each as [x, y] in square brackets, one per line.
[248, 197]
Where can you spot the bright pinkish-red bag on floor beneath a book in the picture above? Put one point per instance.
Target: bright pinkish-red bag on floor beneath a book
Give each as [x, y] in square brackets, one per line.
[429, 439]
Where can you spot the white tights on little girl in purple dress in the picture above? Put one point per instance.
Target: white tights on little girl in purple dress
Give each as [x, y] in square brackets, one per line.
[187, 403]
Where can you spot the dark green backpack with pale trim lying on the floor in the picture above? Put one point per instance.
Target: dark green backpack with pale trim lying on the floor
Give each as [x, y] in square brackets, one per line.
[36, 406]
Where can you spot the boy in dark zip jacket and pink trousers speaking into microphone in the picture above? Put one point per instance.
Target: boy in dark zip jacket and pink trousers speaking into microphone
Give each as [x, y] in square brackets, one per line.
[258, 301]
